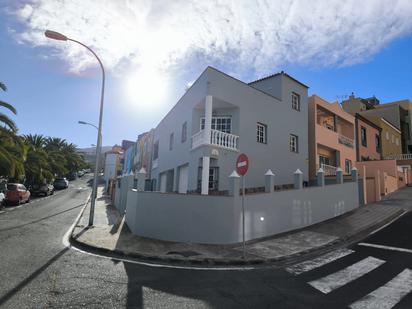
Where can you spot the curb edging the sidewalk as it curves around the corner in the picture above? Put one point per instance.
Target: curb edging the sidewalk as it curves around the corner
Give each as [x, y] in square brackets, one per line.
[211, 262]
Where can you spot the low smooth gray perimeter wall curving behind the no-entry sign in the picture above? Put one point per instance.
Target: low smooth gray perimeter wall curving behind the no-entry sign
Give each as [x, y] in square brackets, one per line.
[217, 219]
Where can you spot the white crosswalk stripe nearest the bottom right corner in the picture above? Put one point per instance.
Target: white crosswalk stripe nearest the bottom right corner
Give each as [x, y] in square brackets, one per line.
[387, 295]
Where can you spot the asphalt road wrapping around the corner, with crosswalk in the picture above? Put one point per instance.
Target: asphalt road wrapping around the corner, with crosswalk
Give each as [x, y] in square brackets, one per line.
[38, 271]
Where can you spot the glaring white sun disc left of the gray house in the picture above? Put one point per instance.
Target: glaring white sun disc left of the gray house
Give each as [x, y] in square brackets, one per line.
[147, 88]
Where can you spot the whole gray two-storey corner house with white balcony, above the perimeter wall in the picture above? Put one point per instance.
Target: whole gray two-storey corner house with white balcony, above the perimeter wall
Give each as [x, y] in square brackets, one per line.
[196, 144]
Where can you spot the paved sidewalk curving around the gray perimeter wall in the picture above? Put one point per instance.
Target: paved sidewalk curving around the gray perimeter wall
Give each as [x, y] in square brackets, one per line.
[111, 235]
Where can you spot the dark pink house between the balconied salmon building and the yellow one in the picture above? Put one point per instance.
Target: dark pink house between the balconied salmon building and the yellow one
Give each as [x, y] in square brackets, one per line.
[368, 140]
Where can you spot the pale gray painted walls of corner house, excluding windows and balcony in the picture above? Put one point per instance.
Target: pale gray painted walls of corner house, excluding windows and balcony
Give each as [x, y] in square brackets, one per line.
[249, 107]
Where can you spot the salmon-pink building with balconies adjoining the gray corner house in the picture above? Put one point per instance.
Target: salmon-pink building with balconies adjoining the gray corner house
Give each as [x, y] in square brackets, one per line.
[331, 137]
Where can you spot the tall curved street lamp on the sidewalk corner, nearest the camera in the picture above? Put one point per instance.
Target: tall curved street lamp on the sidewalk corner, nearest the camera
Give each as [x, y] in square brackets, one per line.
[61, 37]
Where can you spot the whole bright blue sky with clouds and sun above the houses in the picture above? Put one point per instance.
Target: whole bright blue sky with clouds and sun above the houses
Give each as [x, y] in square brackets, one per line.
[153, 50]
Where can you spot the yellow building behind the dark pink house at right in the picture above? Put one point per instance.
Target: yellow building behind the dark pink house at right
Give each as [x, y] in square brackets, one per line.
[391, 136]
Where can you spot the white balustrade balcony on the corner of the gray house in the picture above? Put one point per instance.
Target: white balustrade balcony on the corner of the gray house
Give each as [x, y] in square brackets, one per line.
[217, 138]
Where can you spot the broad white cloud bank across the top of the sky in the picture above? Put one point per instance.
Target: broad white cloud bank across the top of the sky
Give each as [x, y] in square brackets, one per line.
[256, 36]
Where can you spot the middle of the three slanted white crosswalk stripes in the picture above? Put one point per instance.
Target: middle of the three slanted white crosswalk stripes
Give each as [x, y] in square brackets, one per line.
[338, 279]
